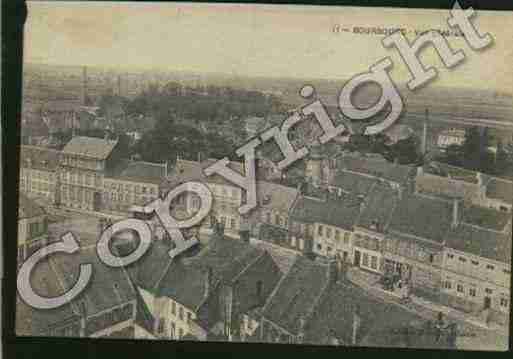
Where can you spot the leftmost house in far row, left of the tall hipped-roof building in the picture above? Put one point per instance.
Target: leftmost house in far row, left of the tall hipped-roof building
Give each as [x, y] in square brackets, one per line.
[39, 172]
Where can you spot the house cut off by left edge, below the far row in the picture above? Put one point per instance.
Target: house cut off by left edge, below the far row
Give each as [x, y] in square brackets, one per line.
[32, 227]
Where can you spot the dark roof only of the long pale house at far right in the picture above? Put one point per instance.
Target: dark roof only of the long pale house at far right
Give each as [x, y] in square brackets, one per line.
[480, 242]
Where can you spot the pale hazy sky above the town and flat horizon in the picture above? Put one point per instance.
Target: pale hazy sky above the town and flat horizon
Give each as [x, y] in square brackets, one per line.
[285, 41]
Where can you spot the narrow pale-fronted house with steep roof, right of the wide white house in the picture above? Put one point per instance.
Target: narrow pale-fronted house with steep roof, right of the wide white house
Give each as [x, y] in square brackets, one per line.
[370, 228]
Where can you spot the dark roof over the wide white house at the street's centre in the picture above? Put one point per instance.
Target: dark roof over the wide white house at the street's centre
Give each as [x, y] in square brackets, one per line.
[341, 213]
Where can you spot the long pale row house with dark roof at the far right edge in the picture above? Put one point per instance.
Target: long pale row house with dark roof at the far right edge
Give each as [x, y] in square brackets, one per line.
[477, 267]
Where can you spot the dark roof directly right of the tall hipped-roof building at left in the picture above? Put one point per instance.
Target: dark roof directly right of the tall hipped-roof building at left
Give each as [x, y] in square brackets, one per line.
[139, 171]
